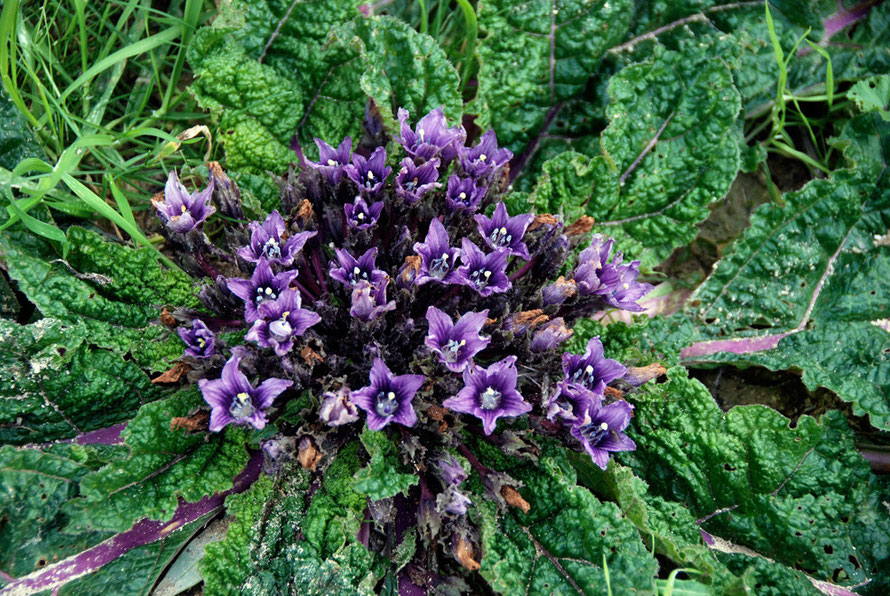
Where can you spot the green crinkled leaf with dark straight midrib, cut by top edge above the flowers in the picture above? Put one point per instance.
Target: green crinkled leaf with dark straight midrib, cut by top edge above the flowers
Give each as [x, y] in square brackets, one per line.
[535, 55]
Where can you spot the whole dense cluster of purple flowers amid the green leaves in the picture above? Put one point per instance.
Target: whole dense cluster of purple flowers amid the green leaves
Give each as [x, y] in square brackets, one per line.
[395, 296]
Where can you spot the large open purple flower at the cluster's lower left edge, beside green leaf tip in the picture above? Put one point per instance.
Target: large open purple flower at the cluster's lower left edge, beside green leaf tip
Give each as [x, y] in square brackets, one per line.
[233, 400]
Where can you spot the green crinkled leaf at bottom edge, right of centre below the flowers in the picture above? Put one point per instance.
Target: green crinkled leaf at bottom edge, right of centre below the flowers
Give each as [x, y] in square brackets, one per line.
[561, 545]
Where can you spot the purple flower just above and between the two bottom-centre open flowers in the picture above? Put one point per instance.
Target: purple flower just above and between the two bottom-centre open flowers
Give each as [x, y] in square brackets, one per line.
[457, 343]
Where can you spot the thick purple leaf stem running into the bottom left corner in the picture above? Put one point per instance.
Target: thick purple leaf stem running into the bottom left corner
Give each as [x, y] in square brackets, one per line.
[143, 532]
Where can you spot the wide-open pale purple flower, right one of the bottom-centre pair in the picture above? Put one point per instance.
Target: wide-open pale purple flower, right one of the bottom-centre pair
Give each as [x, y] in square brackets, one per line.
[490, 393]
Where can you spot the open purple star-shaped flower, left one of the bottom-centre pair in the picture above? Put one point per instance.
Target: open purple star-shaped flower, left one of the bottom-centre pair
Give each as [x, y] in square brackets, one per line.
[388, 397]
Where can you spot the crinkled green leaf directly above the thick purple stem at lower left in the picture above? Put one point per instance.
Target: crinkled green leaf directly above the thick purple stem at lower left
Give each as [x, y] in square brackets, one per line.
[162, 466]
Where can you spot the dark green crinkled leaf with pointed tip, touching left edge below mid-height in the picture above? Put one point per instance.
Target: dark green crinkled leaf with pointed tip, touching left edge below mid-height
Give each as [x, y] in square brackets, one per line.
[60, 385]
